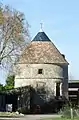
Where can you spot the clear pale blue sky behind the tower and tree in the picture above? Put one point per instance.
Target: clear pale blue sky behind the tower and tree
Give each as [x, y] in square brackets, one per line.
[61, 23]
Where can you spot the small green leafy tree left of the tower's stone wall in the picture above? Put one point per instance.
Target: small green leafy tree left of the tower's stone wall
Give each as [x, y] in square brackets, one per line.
[9, 82]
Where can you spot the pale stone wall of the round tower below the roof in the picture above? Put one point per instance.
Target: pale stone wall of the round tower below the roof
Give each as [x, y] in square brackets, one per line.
[52, 73]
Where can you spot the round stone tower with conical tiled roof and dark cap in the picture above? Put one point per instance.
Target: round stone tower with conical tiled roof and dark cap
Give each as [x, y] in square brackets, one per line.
[41, 64]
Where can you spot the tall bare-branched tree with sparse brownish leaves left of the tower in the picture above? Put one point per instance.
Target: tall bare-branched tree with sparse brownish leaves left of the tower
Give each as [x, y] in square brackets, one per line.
[14, 34]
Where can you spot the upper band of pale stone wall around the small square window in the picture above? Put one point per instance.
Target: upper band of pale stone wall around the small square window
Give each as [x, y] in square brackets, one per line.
[31, 71]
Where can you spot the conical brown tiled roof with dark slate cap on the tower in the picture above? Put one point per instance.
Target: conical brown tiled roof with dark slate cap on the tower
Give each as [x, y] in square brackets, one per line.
[41, 50]
